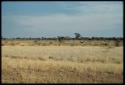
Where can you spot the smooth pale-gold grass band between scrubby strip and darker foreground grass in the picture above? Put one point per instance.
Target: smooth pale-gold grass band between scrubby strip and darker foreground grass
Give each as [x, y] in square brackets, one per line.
[66, 53]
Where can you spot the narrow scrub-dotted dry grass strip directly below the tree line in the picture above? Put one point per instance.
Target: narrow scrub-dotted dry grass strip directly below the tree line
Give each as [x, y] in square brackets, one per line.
[64, 43]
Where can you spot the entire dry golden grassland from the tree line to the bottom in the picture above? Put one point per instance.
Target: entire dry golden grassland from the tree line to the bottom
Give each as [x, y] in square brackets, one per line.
[51, 62]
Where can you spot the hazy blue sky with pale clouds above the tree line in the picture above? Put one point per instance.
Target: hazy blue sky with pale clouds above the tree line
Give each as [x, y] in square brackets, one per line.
[62, 18]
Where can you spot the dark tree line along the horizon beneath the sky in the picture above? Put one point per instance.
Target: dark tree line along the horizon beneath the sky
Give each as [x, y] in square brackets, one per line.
[61, 38]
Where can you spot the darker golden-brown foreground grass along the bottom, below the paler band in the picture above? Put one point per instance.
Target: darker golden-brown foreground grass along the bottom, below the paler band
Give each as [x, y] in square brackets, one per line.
[37, 71]
